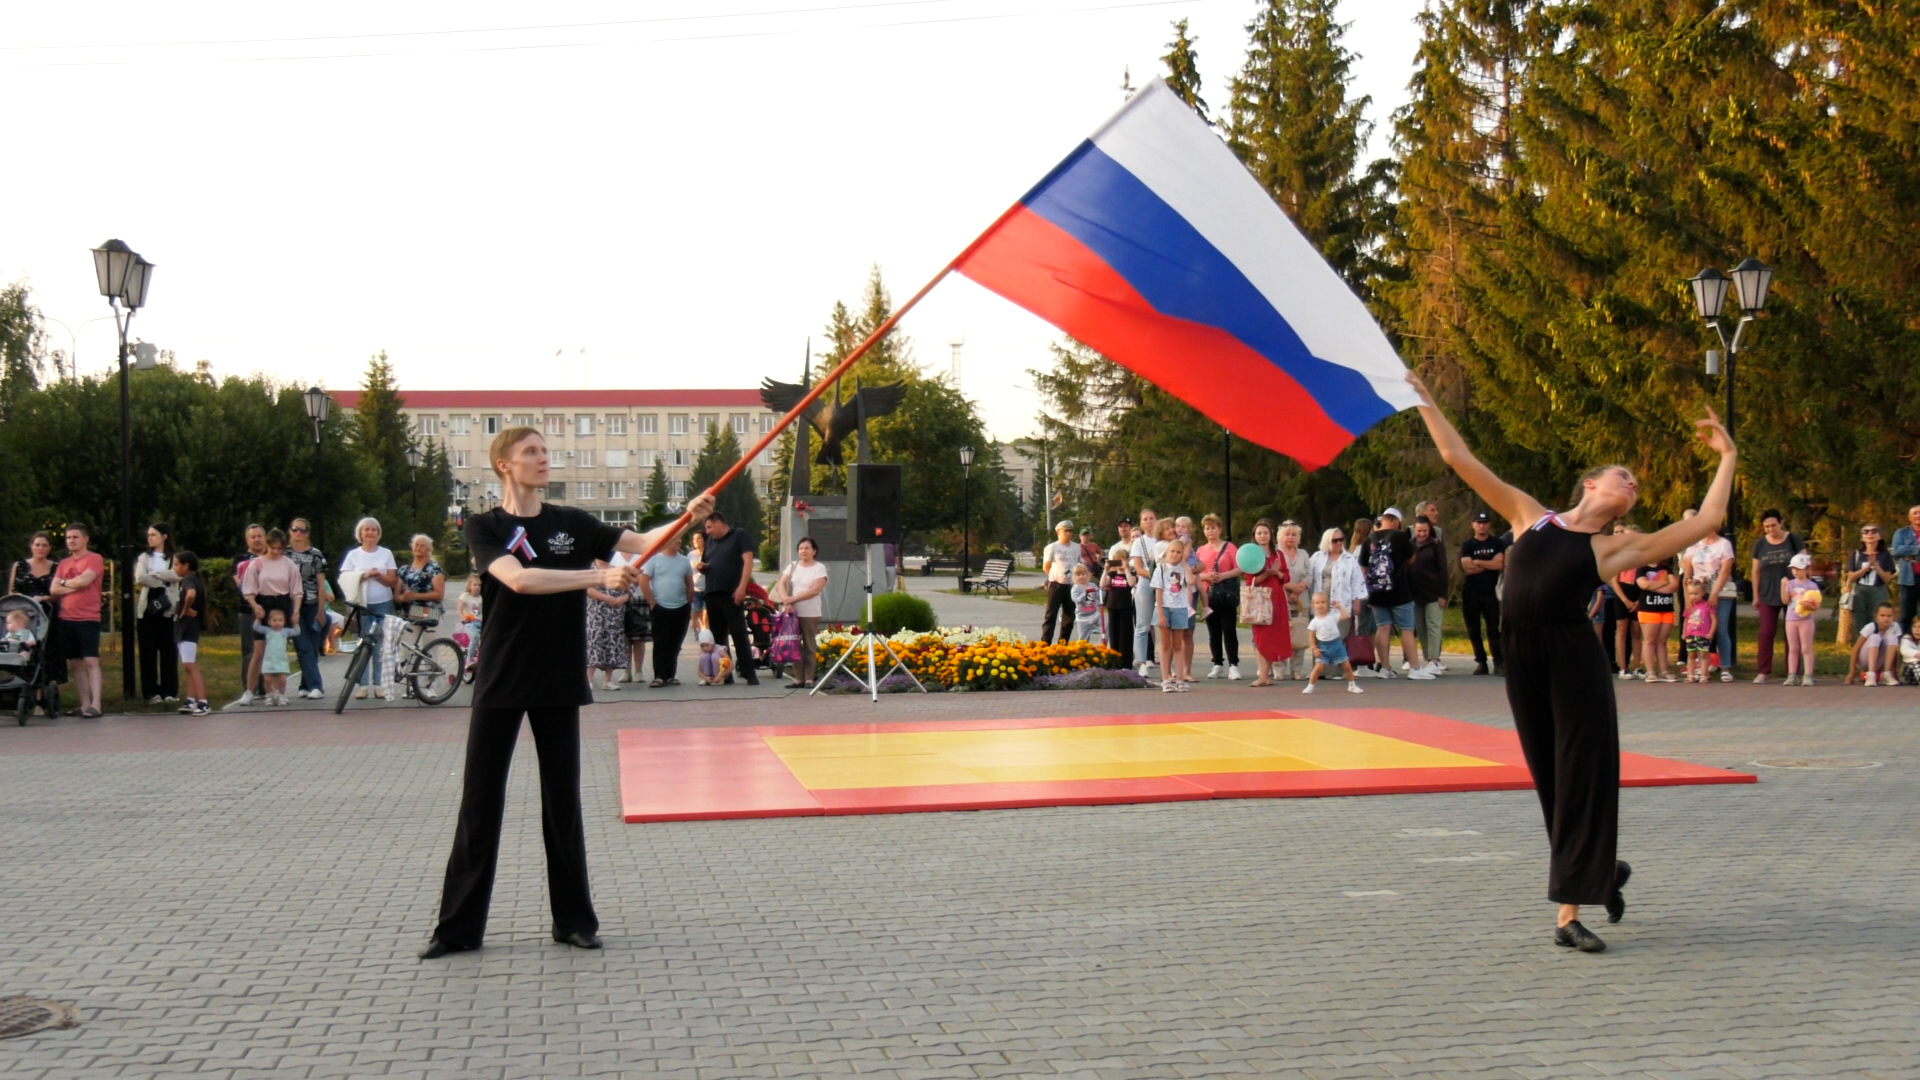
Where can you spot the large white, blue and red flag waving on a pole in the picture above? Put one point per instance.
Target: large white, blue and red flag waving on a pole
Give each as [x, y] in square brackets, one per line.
[1153, 245]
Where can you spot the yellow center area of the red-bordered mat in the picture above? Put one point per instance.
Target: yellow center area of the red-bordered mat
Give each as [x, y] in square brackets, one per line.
[1116, 752]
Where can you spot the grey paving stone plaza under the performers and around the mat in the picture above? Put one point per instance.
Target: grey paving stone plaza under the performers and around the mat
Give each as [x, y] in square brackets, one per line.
[245, 896]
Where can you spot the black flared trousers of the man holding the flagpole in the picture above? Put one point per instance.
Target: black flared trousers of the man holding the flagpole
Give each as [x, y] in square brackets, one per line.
[469, 891]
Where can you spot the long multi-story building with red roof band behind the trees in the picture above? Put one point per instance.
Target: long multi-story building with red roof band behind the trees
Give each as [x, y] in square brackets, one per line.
[602, 443]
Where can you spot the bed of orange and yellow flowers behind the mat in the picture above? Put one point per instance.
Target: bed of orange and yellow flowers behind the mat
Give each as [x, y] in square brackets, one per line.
[957, 658]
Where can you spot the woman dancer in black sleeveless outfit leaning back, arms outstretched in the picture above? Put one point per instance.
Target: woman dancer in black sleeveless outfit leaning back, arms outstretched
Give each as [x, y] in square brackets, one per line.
[1558, 679]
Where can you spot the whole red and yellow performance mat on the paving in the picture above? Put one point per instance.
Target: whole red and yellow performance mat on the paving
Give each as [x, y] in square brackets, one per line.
[946, 766]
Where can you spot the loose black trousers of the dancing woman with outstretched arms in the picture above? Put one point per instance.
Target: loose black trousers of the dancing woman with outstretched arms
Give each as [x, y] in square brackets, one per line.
[1564, 710]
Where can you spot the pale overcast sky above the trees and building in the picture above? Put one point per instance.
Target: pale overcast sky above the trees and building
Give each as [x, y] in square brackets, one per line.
[679, 187]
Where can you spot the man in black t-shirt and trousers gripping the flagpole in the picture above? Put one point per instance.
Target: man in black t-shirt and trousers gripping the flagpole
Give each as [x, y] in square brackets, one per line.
[537, 564]
